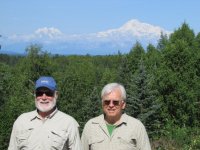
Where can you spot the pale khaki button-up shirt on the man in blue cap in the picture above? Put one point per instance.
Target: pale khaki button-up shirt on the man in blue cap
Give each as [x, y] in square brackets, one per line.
[58, 131]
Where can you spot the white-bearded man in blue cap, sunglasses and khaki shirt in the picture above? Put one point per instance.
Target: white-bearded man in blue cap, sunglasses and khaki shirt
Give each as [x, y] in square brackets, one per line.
[45, 128]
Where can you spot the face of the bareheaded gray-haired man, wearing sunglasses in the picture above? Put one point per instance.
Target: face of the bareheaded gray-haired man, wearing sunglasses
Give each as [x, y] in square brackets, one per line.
[113, 104]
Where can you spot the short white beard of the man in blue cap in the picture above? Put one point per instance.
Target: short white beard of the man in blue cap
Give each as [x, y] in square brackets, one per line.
[45, 107]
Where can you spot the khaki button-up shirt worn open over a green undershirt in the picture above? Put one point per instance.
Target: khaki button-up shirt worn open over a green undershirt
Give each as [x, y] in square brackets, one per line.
[130, 134]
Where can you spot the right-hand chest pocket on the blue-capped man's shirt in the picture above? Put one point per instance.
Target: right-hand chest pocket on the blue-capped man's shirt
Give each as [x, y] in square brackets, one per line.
[58, 138]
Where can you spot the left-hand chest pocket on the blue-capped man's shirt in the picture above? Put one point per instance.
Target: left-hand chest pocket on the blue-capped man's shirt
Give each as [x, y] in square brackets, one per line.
[22, 138]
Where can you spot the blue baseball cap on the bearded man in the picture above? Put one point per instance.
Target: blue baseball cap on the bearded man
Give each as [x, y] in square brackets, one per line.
[46, 81]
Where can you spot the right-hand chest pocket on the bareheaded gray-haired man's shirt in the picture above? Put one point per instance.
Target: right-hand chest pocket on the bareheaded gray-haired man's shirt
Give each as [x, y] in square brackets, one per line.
[127, 143]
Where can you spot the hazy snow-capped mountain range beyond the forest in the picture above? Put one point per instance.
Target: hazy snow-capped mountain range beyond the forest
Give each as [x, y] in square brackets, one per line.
[106, 42]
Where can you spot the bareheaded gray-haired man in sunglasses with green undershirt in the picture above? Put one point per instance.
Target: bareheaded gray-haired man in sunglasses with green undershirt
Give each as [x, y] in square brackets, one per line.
[114, 130]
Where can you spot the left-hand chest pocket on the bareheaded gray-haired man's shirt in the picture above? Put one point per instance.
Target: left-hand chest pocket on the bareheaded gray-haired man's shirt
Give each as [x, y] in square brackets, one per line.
[96, 143]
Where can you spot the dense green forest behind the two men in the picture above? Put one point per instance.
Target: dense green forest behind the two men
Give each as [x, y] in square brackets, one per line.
[162, 84]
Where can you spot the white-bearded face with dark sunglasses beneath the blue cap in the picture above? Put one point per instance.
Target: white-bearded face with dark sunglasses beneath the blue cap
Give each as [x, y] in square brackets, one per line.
[45, 99]
